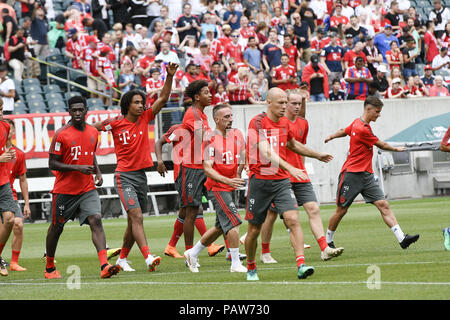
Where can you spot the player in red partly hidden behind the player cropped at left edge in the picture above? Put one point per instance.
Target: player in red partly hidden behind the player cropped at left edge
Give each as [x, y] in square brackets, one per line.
[17, 168]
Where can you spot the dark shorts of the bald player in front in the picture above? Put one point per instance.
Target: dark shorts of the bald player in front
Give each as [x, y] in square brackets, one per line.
[262, 193]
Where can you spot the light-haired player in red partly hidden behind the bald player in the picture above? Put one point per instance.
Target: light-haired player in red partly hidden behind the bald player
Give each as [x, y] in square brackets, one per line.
[303, 189]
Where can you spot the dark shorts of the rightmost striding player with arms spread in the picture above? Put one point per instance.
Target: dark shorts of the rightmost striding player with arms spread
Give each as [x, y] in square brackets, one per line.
[351, 184]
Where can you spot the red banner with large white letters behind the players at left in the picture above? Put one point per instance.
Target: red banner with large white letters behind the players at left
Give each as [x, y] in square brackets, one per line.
[34, 132]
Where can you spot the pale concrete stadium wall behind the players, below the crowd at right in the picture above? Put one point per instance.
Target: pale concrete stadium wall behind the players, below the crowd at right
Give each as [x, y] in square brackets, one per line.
[327, 117]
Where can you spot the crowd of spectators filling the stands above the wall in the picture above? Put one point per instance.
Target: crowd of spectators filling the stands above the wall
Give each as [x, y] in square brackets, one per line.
[337, 49]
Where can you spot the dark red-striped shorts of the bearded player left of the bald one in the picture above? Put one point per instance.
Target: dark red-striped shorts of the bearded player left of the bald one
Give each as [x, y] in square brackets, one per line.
[227, 216]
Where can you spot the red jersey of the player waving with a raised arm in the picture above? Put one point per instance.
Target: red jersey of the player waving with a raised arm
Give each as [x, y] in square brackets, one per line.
[131, 141]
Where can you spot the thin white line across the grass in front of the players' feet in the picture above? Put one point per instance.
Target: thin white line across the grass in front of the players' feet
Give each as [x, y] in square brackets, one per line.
[233, 283]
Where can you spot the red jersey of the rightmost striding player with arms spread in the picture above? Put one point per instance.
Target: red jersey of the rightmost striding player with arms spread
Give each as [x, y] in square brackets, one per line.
[362, 140]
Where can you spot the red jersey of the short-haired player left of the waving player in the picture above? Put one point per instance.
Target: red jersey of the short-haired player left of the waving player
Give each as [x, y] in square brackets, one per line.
[75, 148]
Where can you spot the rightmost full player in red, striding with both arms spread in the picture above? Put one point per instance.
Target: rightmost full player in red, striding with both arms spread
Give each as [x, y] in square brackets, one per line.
[357, 175]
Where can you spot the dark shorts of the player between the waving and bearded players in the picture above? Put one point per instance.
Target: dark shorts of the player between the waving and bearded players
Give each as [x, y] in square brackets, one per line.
[190, 185]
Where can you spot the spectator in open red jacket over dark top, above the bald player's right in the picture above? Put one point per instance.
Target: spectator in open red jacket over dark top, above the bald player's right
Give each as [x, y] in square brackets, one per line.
[316, 76]
